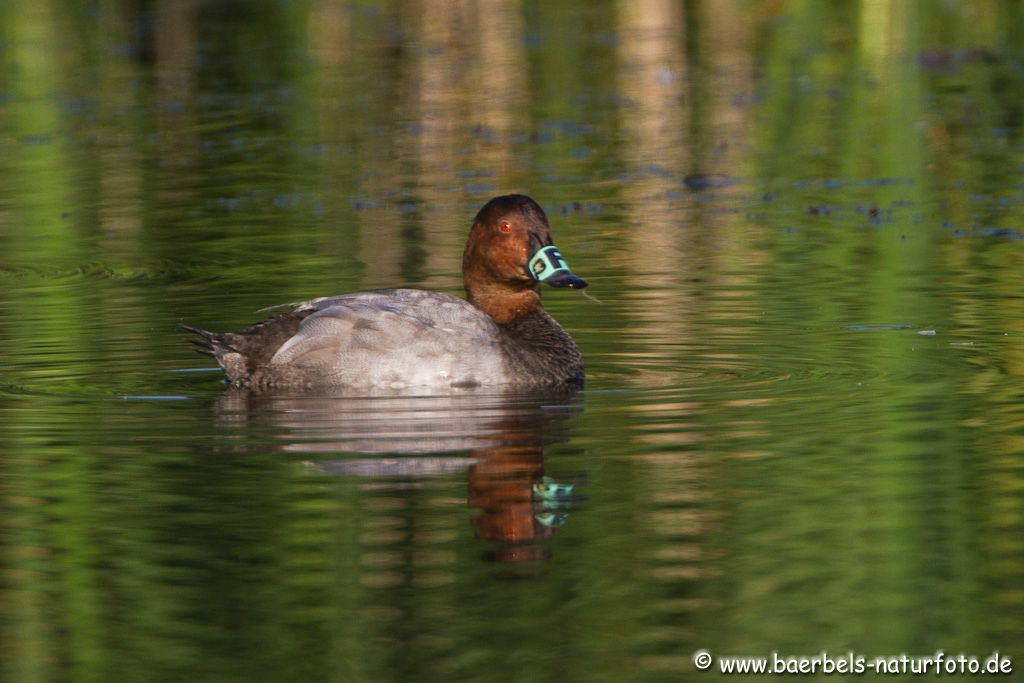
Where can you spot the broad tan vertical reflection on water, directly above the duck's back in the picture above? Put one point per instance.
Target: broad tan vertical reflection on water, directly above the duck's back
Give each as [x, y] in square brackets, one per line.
[458, 99]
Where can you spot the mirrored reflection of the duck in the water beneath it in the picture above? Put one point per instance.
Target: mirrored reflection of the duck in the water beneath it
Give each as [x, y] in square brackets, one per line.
[404, 440]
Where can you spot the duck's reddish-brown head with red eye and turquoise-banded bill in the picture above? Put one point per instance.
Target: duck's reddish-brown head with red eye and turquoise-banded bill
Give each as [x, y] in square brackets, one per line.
[508, 255]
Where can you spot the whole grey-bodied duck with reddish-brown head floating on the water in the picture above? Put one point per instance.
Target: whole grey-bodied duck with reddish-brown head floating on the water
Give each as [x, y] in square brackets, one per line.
[499, 336]
